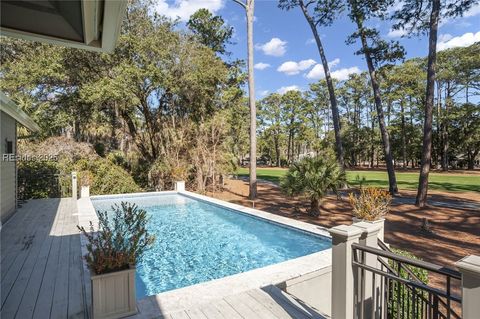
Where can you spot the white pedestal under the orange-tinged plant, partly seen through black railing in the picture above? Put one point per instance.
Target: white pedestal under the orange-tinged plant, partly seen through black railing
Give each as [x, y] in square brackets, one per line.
[369, 237]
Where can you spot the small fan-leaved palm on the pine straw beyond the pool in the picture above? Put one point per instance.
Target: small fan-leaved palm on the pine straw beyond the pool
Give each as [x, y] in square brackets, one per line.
[312, 178]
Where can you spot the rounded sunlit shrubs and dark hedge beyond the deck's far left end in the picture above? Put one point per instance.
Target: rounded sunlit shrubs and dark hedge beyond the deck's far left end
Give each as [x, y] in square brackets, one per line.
[40, 179]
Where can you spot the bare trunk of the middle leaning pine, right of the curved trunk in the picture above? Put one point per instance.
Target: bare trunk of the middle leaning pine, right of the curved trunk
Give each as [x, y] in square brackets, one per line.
[392, 181]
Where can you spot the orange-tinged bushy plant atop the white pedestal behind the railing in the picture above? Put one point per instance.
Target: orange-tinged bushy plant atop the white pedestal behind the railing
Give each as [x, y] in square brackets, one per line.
[371, 203]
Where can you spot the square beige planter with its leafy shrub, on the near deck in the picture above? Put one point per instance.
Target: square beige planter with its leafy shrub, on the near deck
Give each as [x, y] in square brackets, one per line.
[113, 251]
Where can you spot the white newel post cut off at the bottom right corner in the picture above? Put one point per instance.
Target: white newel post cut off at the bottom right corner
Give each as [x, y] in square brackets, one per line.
[470, 268]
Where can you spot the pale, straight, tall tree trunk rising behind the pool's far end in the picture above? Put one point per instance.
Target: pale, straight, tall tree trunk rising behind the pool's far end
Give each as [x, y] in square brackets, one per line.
[249, 5]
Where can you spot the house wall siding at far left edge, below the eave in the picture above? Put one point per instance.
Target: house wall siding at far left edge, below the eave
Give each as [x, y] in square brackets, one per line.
[8, 185]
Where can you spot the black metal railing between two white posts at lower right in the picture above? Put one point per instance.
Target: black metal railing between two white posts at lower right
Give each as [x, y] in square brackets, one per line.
[393, 288]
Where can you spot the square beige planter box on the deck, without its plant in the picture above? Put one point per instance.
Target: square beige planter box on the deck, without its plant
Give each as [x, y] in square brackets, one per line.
[113, 294]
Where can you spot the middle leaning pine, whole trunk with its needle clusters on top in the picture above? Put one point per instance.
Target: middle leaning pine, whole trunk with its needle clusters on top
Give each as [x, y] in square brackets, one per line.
[376, 51]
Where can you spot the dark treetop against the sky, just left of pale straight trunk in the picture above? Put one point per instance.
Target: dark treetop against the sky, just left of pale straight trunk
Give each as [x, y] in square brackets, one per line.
[210, 30]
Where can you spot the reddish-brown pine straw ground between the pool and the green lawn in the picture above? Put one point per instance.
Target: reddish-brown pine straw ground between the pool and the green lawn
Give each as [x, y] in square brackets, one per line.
[456, 231]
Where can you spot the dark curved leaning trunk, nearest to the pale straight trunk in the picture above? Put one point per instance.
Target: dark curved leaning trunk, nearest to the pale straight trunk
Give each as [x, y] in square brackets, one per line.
[331, 89]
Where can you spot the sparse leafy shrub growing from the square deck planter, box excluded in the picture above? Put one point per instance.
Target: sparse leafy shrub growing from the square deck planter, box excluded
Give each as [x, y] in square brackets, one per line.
[121, 239]
